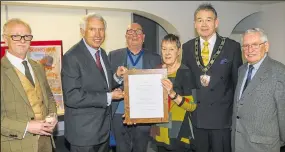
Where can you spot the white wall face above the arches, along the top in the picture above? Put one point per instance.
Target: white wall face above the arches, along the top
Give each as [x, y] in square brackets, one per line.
[178, 14]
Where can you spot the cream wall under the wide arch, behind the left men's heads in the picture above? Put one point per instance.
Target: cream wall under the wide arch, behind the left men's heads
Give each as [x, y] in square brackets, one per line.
[49, 23]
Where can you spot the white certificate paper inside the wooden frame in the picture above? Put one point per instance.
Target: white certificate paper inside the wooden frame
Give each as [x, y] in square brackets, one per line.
[146, 96]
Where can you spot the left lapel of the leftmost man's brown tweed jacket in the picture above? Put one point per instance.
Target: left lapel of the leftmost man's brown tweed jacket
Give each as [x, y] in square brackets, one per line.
[12, 75]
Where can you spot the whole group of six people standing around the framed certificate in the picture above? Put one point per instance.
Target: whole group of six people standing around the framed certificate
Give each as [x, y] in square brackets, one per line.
[216, 103]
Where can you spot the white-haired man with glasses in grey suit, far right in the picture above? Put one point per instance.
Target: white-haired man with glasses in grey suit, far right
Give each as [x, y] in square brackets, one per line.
[259, 107]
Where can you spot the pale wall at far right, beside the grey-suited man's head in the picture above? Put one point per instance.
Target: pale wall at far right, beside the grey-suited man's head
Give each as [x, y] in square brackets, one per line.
[273, 22]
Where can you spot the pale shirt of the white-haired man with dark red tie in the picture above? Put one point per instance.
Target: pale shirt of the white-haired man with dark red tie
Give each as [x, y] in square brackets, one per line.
[92, 52]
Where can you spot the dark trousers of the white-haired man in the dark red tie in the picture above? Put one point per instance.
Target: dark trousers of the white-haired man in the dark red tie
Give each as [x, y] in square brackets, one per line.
[104, 147]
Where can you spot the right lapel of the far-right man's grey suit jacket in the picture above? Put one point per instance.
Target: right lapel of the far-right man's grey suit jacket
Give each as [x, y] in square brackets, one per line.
[261, 74]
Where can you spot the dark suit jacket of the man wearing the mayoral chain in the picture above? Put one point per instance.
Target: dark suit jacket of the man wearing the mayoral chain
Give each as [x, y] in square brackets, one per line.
[215, 102]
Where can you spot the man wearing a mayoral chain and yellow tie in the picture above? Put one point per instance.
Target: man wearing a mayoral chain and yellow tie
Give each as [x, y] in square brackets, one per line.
[214, 61]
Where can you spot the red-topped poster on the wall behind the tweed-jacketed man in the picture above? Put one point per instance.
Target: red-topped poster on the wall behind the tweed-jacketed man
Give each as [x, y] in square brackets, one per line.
[49, 54]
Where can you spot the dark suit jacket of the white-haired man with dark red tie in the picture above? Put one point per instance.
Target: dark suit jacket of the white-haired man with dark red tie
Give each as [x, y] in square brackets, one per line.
[87, 116]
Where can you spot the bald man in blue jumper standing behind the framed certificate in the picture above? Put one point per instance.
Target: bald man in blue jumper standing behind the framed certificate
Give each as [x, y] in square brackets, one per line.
[131, 138]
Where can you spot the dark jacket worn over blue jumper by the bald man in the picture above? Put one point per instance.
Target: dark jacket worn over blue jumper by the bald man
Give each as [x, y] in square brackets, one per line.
[119, 58]
